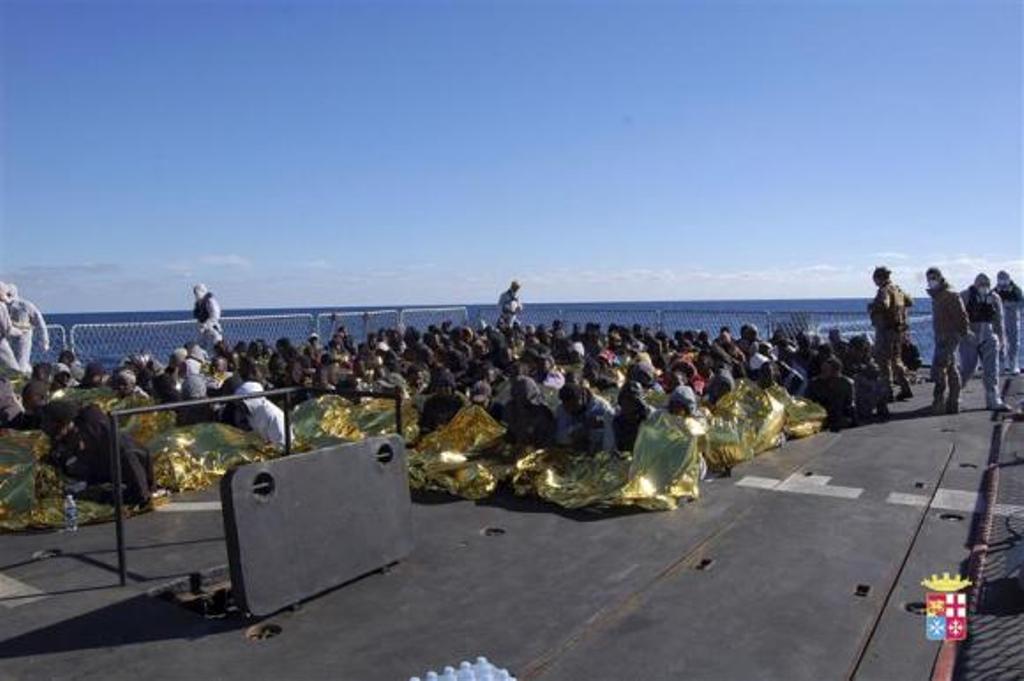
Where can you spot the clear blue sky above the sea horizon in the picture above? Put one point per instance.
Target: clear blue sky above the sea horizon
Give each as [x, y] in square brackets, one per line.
[336, 154]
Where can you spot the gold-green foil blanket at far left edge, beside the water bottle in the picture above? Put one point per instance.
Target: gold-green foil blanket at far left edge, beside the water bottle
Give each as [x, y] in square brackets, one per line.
[31, 491]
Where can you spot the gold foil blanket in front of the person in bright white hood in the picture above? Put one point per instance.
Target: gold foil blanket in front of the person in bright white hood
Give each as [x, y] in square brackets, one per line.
[196, 457]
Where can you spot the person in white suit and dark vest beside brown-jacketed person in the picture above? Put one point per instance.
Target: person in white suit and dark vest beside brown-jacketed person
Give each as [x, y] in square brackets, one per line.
[985, 312]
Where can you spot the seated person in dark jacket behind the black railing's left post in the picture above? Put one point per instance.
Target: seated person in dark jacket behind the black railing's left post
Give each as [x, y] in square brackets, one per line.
[82, 450]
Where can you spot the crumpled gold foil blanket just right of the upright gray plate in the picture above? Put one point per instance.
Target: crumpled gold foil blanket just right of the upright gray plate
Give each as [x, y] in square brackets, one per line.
[464, 458]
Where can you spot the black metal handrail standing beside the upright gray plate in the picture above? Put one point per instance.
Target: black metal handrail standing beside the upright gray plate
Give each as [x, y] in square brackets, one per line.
[287, 394]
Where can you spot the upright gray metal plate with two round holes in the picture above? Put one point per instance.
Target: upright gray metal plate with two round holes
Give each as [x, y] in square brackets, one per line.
[304, 525]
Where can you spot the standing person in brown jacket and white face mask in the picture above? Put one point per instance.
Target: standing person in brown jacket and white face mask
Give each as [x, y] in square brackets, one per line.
[950, 326]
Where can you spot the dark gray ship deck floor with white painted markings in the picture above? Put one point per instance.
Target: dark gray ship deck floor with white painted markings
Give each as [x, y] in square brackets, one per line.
[576, 595]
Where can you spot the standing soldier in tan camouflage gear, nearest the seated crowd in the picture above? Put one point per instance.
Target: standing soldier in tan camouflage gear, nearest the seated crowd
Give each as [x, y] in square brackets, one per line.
[888, 313]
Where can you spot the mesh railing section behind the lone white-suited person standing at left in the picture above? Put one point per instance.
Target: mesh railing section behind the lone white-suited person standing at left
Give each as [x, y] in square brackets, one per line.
[109, 344]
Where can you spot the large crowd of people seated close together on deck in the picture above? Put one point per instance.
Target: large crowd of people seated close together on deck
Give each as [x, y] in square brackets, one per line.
[585, 388]
